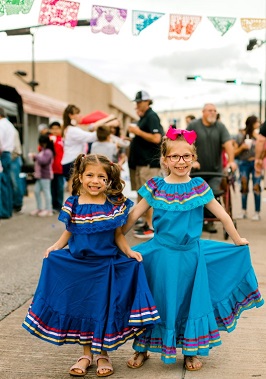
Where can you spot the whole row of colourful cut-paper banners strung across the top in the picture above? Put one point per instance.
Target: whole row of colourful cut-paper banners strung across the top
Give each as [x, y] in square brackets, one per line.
[110, 20]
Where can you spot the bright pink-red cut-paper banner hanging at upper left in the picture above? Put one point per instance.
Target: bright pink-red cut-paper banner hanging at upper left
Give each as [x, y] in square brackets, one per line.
[61, 12]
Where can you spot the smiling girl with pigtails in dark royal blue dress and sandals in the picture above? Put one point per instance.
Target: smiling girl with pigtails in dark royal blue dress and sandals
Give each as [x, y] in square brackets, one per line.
[91, 293]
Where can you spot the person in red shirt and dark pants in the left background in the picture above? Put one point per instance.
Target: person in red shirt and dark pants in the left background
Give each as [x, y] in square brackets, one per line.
[57, 183]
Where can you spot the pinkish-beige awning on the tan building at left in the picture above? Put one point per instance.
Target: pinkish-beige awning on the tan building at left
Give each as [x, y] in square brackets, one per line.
[41, 105]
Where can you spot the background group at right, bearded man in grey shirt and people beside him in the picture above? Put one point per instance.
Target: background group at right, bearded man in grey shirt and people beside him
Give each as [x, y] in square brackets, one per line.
[243, 154]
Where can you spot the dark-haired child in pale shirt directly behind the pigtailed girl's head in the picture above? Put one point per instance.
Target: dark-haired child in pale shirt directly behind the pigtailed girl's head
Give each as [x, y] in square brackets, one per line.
[104, 145]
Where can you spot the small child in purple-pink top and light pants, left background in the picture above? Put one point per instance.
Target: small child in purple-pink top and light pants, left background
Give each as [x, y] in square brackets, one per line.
[43, 174]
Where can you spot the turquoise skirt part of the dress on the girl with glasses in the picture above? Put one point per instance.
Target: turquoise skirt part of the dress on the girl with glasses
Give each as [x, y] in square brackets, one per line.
[199, 289]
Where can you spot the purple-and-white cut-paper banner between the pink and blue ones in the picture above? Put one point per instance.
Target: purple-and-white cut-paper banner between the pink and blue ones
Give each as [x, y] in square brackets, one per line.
[107, 20]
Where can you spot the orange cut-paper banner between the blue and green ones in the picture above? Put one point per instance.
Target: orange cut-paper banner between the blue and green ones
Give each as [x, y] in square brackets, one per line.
[182, 26]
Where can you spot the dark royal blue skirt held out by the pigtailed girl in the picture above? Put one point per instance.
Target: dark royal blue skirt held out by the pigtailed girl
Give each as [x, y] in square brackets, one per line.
[101, 302]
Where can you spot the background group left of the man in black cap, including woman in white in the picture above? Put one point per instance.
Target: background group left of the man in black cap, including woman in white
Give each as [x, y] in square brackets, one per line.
[58, 146]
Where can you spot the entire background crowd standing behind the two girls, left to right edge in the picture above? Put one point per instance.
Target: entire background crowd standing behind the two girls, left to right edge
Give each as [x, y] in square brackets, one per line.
[141, 150]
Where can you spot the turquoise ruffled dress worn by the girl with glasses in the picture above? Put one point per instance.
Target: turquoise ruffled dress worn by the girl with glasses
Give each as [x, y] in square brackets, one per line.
[200, 287]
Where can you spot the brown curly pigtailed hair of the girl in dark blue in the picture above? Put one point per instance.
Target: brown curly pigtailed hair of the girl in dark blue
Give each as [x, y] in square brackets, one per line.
[116, 184]
